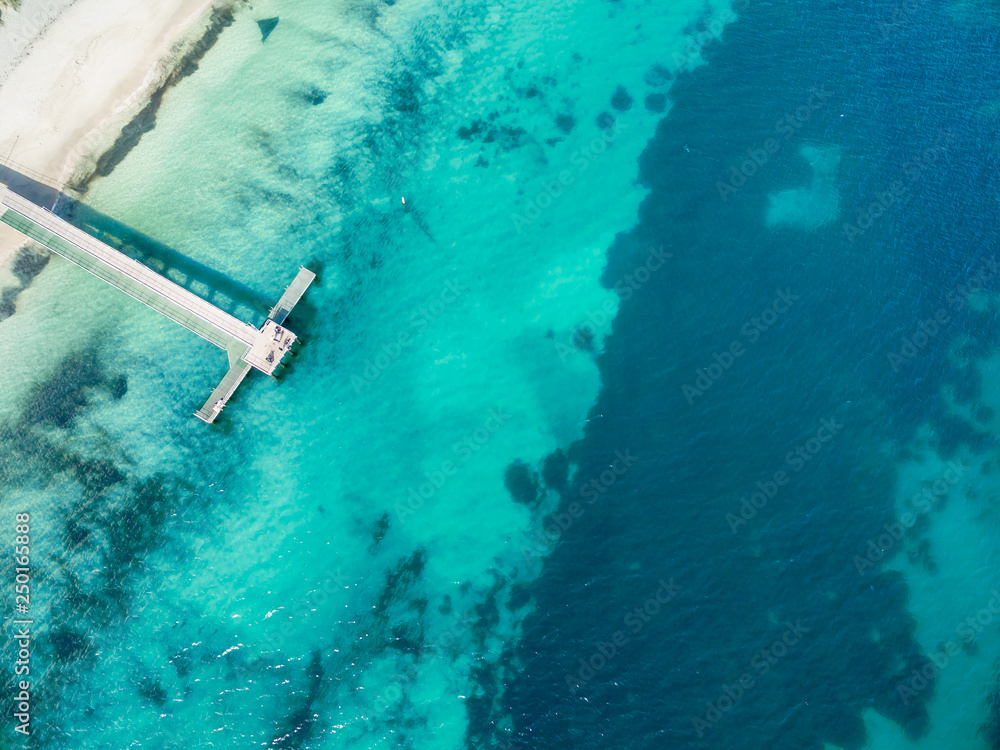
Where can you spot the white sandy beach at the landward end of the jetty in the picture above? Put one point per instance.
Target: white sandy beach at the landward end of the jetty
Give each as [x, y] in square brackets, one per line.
[73, 72]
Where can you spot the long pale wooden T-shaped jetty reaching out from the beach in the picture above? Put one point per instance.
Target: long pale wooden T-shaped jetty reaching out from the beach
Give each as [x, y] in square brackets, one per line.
[247, 347]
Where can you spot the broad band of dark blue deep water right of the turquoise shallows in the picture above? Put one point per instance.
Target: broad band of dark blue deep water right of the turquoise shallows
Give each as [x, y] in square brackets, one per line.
[919, 84]
